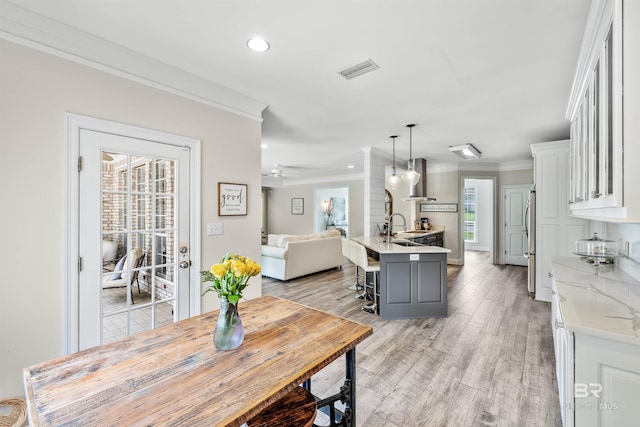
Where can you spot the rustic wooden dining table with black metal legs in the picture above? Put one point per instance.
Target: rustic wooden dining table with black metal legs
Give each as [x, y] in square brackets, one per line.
[175, 376]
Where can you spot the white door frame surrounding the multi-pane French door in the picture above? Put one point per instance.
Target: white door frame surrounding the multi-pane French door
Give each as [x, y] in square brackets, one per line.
[73, 124]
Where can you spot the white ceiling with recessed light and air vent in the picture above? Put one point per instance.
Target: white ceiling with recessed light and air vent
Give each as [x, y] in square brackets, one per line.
[495, 73]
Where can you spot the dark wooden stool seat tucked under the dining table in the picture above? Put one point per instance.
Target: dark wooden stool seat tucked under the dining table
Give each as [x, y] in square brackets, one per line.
[296, 409]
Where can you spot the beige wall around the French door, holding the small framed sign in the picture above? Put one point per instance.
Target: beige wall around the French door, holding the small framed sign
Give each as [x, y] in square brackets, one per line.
[36, 89]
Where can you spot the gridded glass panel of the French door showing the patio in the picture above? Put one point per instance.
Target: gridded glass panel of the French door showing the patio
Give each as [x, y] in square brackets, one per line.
[138, 220]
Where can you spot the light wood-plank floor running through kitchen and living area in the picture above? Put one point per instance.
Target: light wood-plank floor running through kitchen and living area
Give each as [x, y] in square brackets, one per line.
[489, 363]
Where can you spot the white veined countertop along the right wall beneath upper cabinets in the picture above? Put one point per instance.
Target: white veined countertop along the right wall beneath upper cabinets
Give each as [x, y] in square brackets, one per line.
[603, 302]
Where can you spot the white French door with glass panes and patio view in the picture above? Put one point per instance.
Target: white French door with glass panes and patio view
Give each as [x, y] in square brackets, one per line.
[133, 236]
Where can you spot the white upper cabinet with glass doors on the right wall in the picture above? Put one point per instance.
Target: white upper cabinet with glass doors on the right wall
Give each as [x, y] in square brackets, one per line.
[605, 135]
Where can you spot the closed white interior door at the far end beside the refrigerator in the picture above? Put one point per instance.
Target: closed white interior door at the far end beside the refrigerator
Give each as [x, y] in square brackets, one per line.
[515, 237]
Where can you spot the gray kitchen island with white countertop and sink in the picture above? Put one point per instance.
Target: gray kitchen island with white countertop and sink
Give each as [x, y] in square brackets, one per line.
[413, 277]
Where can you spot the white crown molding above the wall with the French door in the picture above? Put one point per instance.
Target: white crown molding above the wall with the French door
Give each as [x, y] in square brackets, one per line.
[36, 31]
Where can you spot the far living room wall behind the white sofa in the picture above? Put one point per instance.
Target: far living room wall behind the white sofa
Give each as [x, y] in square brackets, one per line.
[279, 217]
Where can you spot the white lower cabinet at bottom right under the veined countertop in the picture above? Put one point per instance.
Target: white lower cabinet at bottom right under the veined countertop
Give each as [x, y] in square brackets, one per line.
[598, 378]
